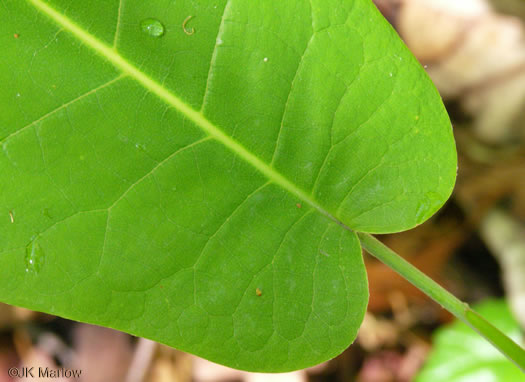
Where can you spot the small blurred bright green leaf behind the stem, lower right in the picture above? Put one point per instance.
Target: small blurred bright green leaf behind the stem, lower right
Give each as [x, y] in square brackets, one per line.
[460, 354]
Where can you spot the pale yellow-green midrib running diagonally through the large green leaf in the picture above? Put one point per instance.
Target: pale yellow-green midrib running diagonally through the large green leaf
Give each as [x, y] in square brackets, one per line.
[199, 119]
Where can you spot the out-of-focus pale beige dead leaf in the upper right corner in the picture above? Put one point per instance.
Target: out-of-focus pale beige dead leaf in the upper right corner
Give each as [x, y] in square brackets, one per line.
[473, 55]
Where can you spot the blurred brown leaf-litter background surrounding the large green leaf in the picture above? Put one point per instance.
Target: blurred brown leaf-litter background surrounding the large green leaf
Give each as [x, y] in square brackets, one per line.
[474, 50]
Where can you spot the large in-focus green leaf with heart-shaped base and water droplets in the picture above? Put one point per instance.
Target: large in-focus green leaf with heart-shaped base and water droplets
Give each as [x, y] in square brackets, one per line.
[192, 179]
